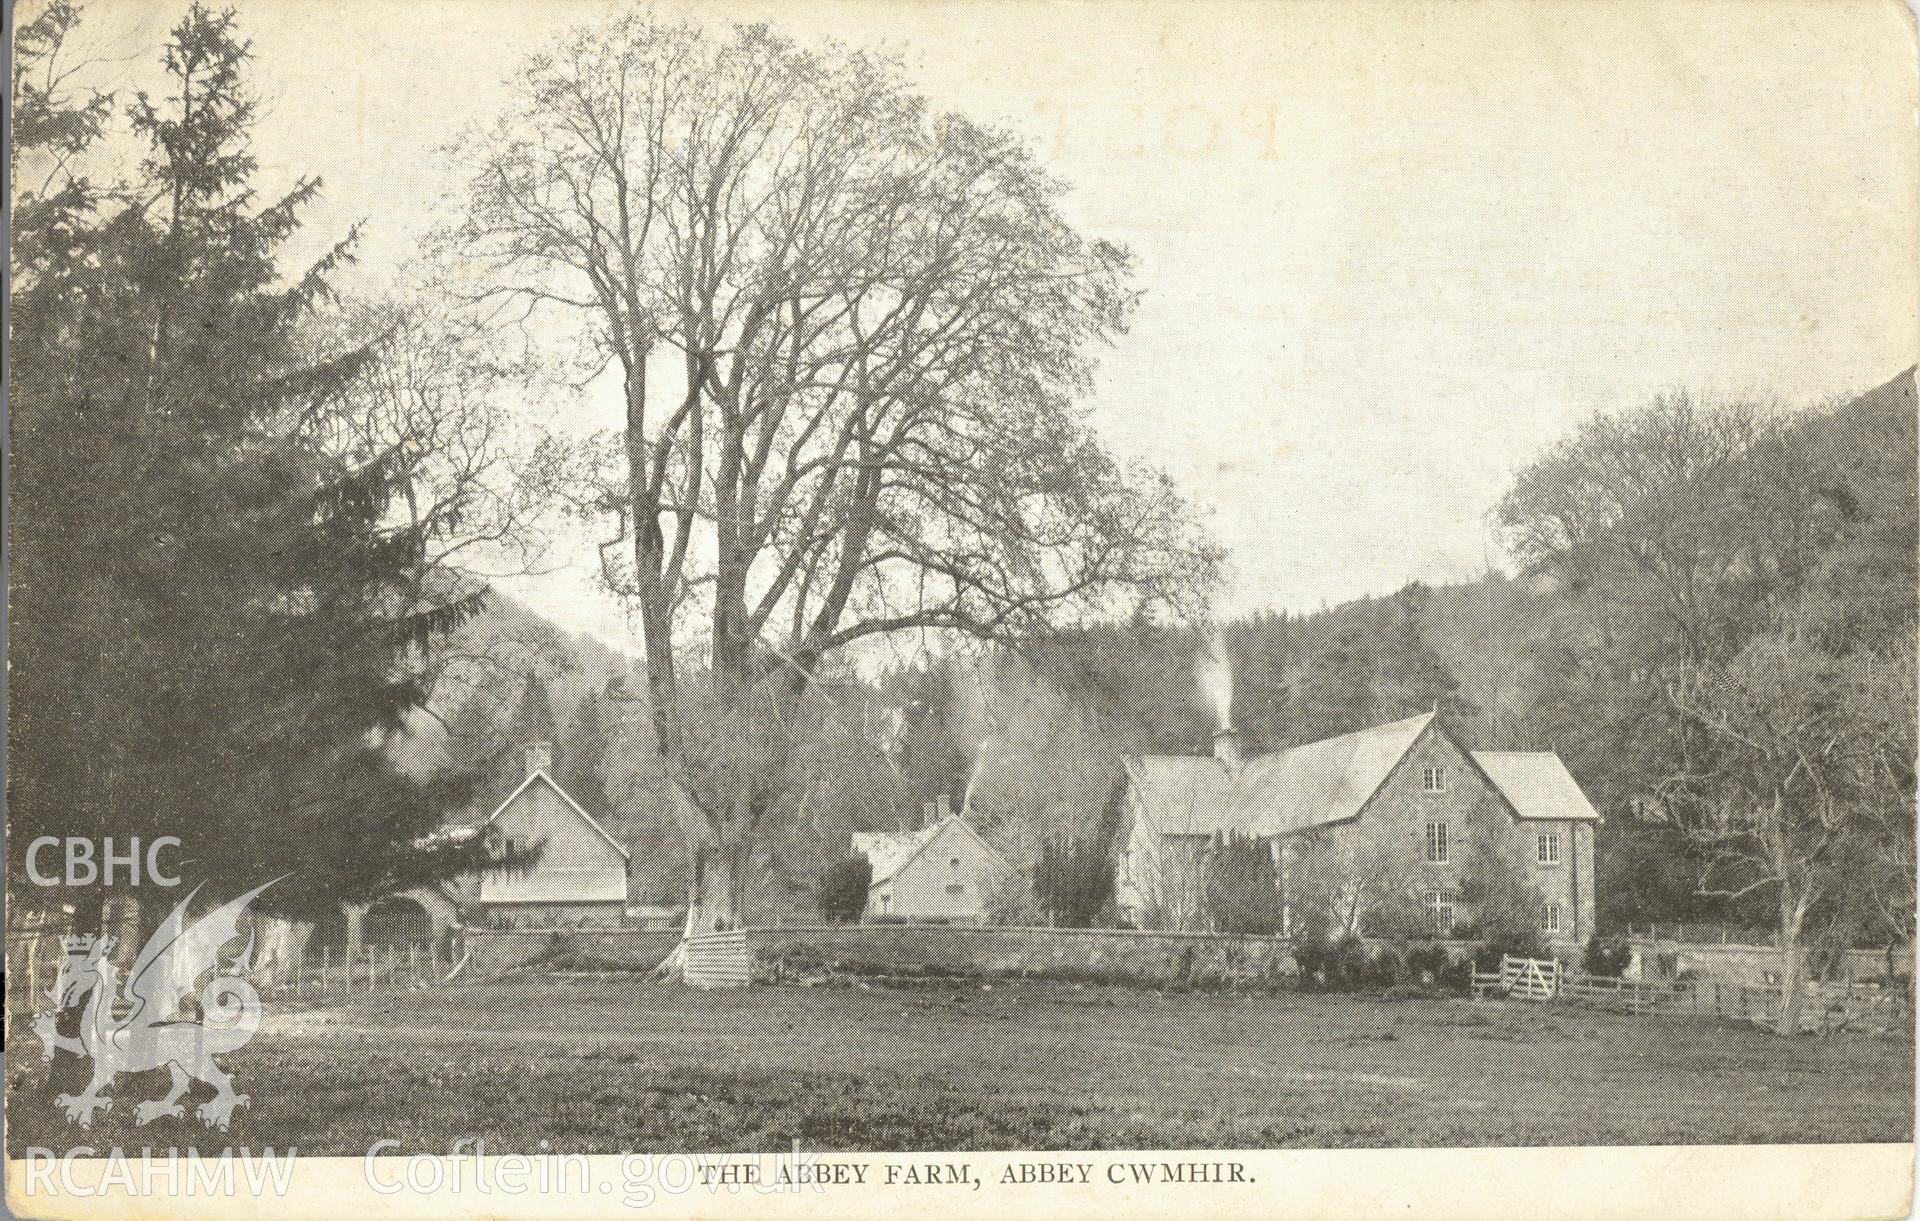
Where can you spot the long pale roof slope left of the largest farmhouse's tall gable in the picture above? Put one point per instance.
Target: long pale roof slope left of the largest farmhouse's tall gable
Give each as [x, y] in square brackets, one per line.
[1276, 794]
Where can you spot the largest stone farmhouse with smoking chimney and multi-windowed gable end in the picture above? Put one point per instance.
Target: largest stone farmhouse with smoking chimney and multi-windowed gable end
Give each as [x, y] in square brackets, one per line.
[1404, 796]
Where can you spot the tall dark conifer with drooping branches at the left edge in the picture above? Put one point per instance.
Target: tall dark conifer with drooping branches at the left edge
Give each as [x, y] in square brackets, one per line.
[218, 625]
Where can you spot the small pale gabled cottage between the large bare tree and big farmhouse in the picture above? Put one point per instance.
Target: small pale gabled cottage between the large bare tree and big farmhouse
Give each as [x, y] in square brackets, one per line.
[940, 874]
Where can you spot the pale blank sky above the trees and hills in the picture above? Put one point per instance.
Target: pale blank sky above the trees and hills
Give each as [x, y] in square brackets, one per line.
[1389, 251]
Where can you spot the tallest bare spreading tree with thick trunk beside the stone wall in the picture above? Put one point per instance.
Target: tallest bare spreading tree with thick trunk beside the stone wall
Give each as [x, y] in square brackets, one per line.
[875, 329]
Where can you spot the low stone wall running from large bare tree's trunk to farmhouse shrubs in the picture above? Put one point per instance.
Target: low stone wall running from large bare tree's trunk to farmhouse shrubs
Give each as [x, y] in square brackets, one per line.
[1086, 955]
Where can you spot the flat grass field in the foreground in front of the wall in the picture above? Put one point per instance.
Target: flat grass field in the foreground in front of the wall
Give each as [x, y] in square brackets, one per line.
[635, 1066]
